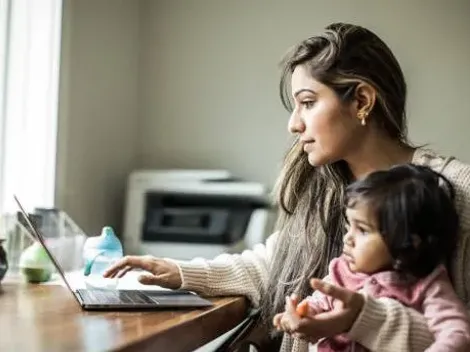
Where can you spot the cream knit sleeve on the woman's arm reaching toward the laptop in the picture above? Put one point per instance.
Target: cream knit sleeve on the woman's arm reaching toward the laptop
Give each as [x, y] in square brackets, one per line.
[230, 274]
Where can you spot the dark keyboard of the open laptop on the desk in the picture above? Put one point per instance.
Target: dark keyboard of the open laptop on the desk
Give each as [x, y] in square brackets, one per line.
[114, 297]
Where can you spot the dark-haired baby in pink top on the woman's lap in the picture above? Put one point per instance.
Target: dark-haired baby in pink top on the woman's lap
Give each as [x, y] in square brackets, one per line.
[402, 230]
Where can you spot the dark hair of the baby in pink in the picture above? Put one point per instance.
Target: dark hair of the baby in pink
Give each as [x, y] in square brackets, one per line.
[415, 214]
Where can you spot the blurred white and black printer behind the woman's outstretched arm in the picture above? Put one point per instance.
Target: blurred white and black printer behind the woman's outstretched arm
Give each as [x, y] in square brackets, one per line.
[183, 214]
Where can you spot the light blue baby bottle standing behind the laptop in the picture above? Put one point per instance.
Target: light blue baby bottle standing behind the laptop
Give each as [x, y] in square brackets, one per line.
[99, 253]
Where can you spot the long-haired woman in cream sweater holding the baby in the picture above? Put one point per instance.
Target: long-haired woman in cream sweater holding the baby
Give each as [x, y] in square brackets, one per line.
[347, 94]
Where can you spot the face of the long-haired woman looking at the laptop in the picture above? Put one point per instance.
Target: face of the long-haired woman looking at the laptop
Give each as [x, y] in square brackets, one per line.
[327, 128]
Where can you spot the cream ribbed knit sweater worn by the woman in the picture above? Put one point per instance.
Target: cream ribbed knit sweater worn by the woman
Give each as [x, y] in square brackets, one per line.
[383, 324]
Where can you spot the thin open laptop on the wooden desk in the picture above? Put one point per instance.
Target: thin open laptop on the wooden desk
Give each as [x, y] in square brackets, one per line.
[105, 299]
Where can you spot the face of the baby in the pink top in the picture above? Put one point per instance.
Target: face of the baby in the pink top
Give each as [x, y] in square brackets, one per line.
[364, 247]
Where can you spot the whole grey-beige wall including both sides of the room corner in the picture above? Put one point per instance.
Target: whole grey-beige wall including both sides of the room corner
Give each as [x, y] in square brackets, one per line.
[180, 83]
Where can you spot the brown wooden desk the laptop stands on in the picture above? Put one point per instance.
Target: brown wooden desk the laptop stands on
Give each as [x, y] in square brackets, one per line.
[47, 318]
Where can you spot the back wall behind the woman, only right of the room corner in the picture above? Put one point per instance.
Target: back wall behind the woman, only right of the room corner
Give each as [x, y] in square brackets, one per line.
[211, 76]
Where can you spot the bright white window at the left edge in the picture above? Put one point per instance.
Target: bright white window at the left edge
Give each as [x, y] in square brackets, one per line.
[30, 34]
